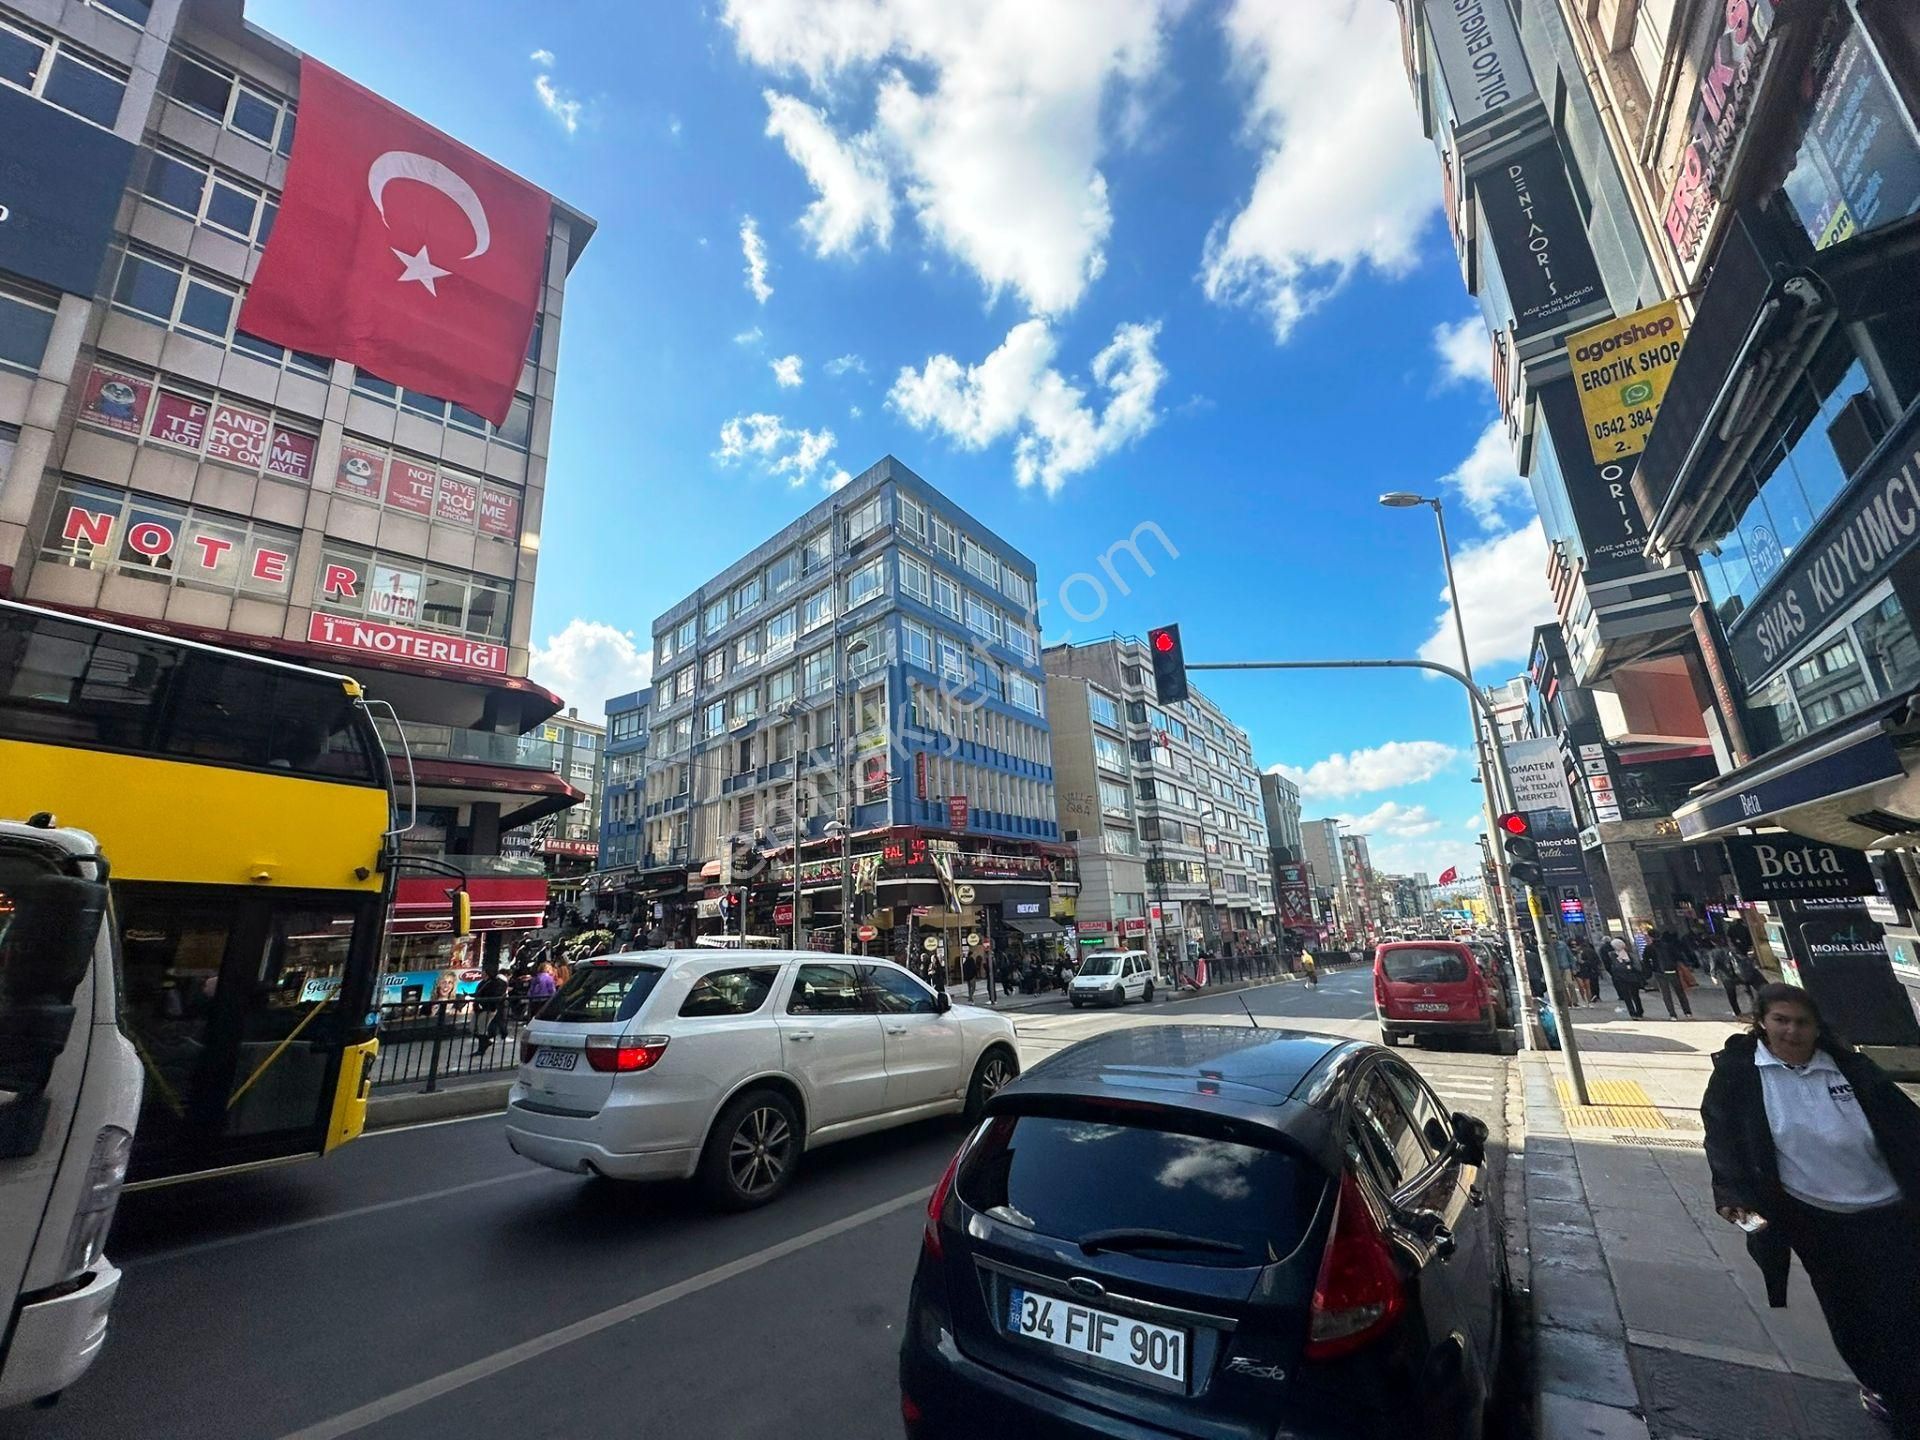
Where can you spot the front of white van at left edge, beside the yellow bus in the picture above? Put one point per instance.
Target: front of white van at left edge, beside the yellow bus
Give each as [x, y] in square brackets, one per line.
[70, 1095]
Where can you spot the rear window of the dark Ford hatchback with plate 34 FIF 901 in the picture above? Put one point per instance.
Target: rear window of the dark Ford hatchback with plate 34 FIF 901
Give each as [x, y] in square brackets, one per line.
[1076, 1176]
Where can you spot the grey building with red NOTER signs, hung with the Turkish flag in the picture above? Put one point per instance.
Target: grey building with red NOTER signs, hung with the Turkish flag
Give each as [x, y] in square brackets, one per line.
[166, 469]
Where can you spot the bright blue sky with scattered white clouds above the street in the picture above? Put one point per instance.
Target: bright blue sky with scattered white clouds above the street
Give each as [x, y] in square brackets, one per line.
[1163, 262]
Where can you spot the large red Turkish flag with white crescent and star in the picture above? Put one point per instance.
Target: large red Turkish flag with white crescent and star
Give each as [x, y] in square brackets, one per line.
[400, 251]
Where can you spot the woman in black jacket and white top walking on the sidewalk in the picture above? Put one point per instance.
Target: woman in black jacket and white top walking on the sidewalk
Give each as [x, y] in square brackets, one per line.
[1817, 1155]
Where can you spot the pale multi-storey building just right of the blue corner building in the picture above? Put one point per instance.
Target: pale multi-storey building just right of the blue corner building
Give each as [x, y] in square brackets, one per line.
[1195, 807]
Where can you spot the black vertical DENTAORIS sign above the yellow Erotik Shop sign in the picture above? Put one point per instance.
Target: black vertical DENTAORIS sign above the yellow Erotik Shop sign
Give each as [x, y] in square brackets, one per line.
[1547, 264]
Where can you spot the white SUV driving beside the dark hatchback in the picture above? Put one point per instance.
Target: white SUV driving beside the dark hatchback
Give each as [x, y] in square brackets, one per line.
[673, 1065]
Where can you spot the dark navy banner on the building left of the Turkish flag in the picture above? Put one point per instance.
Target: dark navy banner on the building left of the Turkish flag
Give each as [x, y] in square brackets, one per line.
[60, 189]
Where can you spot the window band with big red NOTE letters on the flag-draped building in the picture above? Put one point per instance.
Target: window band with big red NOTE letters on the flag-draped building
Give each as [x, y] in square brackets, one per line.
[101, 529]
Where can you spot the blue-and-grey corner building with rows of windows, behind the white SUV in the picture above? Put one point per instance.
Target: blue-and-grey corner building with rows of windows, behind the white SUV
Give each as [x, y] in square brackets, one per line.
[880, 646]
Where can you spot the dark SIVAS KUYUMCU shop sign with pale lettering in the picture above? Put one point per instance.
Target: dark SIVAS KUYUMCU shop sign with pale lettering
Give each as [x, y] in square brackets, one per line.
[1852, 552]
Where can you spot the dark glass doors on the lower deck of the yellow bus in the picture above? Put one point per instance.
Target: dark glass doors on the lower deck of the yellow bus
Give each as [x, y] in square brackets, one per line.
[235, 1005]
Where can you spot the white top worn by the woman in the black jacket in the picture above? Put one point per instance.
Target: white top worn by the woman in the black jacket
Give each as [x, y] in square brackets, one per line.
[1827, 1149]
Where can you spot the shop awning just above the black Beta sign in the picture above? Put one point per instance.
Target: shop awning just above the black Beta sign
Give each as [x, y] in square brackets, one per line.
[1842, 784]
